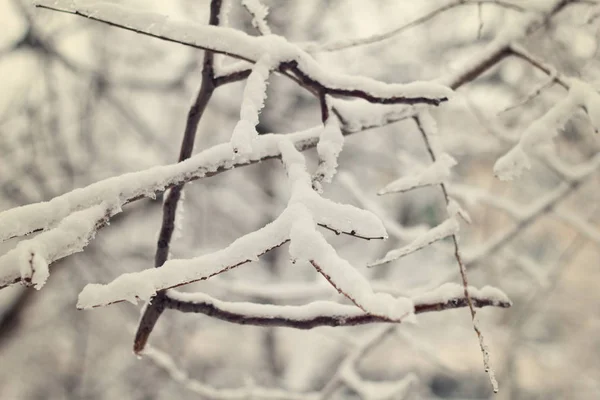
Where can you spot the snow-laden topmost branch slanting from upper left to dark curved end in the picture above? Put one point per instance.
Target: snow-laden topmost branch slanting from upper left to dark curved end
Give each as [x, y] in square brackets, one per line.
[234, 43]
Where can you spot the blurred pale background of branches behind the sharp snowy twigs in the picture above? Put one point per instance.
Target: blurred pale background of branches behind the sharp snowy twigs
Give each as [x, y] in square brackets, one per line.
[81, 101]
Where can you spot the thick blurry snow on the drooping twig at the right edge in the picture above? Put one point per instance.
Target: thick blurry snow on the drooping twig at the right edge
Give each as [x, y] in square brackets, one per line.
[542, 130]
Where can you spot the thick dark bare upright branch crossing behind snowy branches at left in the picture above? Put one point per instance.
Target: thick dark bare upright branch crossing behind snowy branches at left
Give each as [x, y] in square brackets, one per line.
[154, 309]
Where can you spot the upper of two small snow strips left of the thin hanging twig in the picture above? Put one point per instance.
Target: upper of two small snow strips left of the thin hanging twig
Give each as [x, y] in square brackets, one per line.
[436, 173]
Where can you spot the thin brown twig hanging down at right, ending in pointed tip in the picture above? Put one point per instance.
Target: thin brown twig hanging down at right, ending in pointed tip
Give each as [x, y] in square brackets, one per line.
[461, 265]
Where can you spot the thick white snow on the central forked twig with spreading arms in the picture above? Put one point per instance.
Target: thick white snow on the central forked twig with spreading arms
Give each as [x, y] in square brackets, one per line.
[297, 222]
